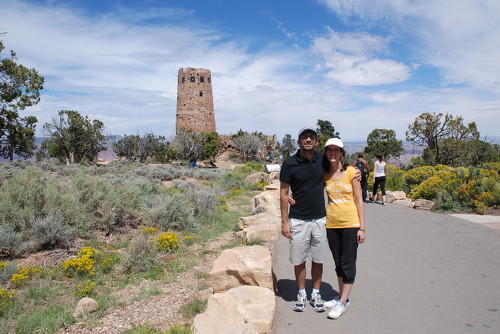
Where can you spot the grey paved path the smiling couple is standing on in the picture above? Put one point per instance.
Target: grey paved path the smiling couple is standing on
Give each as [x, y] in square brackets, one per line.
[418, 272]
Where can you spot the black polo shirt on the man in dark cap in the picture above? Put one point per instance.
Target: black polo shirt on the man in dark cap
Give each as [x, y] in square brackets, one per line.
[305, 178]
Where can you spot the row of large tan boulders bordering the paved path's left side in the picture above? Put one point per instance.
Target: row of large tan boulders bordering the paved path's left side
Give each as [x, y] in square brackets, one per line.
[242, 277]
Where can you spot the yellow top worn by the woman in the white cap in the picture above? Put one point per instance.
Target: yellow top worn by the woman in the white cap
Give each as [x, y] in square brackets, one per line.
[341, 211]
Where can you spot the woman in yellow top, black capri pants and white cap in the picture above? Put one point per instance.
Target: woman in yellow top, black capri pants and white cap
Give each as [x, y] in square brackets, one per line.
[345, 221]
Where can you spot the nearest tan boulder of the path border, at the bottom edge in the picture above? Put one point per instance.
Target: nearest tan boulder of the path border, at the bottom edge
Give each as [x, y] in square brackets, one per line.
[235, 307]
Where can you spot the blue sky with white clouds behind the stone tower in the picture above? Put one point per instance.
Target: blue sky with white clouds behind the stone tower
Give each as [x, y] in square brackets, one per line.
[276, 65]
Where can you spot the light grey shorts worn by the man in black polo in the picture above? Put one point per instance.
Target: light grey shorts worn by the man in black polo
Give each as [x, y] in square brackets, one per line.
[308, 240]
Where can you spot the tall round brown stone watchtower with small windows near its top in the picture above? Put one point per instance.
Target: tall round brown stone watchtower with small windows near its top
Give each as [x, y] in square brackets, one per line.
[195, 103]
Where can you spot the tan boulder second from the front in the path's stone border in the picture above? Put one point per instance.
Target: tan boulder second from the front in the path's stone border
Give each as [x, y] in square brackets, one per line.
[245, 265]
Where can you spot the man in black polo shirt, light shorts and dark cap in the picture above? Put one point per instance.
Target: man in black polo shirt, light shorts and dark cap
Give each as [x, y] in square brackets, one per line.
[305, 224]
